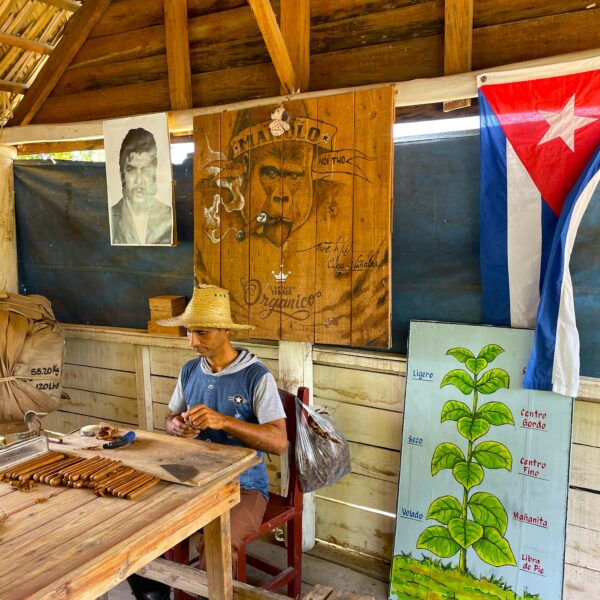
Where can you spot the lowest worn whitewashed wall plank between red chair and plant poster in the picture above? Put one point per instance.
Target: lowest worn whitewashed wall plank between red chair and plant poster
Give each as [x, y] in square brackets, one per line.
[353, 528]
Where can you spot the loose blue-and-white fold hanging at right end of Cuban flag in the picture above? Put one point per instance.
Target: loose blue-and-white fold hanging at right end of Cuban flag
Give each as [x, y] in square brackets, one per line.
[540, 368]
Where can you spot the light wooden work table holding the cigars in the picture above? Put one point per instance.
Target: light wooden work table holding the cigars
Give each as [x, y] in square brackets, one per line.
[61, 542]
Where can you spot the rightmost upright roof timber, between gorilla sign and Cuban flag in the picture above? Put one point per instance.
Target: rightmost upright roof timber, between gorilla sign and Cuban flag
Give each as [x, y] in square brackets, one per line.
[458, 43]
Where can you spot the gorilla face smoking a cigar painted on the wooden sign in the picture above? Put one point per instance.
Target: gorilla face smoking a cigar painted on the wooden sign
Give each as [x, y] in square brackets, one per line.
[281, 188]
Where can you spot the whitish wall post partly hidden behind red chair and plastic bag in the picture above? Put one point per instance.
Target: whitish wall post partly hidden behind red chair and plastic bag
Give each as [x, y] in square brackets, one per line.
[295, 370]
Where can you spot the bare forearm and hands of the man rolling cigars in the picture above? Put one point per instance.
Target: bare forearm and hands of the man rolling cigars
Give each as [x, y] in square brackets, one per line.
[268, 437]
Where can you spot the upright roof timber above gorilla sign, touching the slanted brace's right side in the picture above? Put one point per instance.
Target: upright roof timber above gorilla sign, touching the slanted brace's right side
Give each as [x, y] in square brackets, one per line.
[295, 28]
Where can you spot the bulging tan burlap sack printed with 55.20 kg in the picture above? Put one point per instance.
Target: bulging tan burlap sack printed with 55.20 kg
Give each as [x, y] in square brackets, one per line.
[32, 349]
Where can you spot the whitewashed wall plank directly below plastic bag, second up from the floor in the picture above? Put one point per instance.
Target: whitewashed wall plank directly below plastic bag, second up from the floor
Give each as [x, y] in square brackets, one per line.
[363, 491]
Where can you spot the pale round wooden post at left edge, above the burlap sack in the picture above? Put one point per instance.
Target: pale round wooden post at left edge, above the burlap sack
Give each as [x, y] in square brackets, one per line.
[8, 228]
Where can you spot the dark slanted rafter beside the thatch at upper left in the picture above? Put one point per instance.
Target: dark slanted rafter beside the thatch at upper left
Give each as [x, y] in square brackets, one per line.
[75, 34]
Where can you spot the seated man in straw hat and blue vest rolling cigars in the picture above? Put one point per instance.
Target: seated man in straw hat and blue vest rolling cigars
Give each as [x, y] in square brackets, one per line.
[228, 396]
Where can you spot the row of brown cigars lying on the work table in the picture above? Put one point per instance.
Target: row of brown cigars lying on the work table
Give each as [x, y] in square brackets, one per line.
[105, 476]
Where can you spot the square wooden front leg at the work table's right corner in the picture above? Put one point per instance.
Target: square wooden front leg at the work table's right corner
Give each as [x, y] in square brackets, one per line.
[217, 546]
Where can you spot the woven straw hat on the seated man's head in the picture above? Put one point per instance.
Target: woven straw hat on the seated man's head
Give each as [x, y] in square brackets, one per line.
[208, 309]
